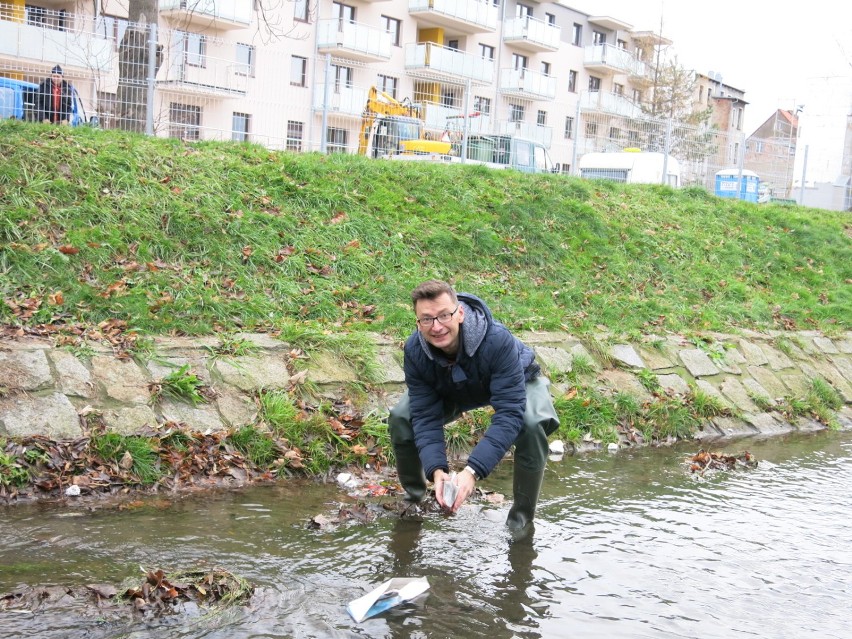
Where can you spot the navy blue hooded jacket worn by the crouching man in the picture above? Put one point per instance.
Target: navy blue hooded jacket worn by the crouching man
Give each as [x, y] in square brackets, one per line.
[491, 367]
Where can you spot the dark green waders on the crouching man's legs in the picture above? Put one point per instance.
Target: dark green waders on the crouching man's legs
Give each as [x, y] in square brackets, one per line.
[540, 420]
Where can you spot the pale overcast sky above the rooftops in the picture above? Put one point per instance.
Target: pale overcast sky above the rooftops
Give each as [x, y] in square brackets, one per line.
[781, 54]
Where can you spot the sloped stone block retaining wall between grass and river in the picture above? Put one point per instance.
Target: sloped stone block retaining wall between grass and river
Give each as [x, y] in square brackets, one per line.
[44, 389]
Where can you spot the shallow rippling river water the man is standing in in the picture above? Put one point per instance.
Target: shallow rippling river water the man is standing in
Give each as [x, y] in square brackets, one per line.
[626, 545]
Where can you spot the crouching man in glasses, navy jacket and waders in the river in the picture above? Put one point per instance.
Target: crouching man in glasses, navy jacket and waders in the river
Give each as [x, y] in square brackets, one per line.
[460, 358]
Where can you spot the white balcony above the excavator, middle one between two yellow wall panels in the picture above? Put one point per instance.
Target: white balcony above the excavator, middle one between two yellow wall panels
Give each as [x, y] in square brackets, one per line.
[433, 62]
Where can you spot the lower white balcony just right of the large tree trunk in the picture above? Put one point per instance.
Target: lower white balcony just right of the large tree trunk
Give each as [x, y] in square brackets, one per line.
[209, 76]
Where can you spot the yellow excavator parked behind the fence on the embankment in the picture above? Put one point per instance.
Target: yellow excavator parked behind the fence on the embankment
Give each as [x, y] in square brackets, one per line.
[390, 127]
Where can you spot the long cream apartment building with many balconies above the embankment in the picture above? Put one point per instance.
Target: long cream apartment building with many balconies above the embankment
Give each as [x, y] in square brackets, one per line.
[295, 74]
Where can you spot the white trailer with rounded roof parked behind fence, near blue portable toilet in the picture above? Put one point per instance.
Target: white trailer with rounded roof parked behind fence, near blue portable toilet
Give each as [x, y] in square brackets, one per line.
[631, 167]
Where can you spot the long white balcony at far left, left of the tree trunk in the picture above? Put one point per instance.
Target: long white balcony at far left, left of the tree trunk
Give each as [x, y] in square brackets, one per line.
[71, 43]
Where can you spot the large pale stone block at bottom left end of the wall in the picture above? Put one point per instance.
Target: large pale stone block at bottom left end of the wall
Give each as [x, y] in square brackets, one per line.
[52, 415]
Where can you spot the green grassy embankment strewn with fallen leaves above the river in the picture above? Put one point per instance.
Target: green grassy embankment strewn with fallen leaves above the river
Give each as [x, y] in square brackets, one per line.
[100, 226]
